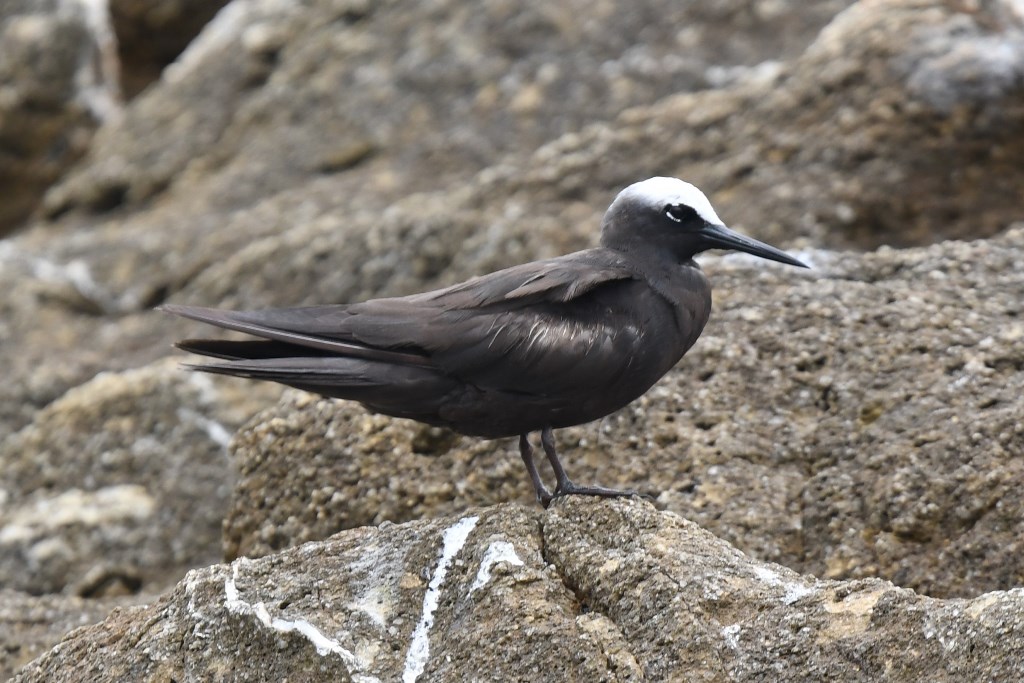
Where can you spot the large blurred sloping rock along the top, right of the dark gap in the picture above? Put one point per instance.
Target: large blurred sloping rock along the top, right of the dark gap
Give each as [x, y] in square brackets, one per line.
[272, 95]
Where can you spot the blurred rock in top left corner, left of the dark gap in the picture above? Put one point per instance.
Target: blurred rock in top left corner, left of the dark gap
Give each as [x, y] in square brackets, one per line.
[58, 83]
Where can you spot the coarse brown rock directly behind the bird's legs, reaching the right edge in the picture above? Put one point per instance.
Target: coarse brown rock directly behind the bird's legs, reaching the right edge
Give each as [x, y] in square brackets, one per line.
[857, 420]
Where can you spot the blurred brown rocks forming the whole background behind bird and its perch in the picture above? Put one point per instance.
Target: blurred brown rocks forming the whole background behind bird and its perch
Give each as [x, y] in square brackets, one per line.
[861, 420]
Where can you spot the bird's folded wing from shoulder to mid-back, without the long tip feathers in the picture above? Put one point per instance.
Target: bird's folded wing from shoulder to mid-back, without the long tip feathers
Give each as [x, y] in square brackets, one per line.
[540, 328]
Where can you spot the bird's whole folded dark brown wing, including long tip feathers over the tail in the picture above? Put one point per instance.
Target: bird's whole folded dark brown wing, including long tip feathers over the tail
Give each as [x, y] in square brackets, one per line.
[531, 328]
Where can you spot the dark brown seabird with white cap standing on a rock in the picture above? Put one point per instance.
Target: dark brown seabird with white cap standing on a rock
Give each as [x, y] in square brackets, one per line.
[531, 349]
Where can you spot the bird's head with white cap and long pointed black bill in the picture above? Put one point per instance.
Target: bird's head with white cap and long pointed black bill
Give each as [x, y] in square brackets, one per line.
[670, 217]
